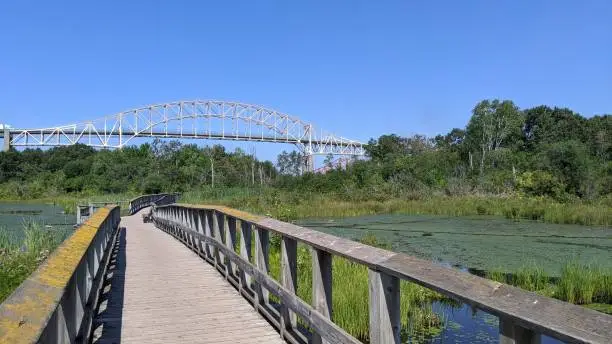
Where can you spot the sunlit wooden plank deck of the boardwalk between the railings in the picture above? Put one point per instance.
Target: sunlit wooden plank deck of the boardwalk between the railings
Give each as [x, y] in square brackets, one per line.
[158, 291]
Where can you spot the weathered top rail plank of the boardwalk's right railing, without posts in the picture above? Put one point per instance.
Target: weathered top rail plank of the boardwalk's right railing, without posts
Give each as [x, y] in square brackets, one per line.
[527, 310]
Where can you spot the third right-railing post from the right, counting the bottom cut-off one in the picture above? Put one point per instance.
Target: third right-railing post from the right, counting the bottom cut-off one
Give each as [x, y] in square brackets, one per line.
[321, 286]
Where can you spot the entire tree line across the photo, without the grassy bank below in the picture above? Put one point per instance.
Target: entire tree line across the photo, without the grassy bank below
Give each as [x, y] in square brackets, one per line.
[540, 151]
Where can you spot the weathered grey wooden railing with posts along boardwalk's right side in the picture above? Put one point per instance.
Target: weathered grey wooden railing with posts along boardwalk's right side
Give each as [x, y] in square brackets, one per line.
[211, 232]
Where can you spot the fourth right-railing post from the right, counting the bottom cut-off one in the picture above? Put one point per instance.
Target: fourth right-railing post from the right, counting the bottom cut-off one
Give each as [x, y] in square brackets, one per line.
[288, 281]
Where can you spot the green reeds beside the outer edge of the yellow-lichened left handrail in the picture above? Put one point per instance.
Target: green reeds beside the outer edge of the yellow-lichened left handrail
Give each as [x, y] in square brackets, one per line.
[21, 253]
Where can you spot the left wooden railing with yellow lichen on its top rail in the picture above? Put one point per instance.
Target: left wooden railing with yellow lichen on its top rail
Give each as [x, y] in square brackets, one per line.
[56, 303]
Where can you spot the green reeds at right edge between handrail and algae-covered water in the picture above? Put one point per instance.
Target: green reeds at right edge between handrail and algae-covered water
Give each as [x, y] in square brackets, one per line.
[587, 285]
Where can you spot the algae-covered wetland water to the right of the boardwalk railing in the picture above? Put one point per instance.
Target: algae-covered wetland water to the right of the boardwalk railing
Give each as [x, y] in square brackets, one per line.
[478, 244]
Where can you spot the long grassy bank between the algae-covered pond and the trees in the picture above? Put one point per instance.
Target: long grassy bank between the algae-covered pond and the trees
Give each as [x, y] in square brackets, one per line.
[291, 206]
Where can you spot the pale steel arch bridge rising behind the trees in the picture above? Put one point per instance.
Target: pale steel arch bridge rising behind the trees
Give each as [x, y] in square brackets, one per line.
[196, 119]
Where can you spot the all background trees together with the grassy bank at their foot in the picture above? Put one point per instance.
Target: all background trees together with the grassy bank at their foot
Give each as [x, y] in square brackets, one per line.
[551, 156]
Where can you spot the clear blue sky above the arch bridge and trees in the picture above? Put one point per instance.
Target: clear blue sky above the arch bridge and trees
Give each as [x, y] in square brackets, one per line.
[356, 68]
